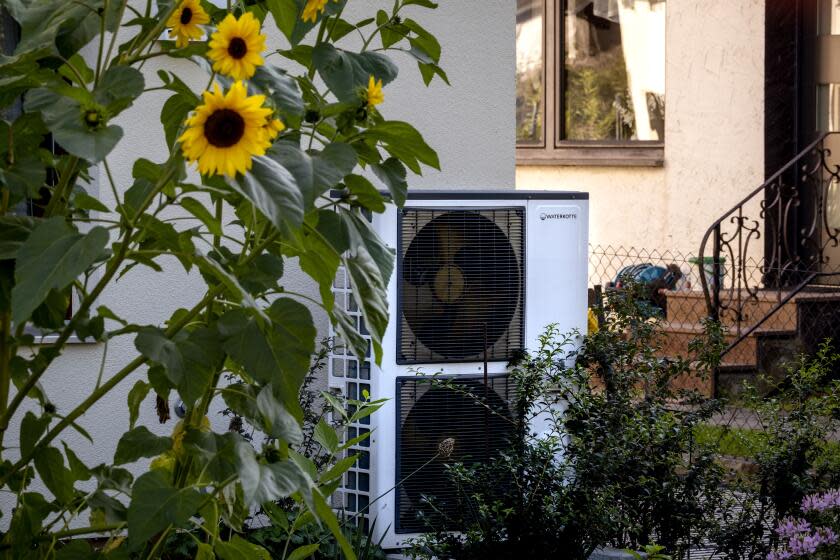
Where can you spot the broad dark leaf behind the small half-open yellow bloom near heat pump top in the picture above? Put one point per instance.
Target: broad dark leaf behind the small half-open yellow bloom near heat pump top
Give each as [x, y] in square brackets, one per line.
[347, 73]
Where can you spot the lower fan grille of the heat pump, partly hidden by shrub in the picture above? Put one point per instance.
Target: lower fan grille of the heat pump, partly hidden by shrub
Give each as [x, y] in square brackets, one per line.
[442, 421]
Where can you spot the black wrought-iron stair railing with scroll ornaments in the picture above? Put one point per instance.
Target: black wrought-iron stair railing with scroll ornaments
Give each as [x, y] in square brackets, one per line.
[790, 214]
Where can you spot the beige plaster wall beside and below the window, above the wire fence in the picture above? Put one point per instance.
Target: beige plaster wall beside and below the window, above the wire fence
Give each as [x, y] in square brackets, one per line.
[714, 135]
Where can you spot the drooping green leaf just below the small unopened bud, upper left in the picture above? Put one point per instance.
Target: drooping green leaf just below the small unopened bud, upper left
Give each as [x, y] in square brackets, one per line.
[64, 117]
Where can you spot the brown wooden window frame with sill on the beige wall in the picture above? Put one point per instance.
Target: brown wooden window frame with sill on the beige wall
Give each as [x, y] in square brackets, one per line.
[553, 149]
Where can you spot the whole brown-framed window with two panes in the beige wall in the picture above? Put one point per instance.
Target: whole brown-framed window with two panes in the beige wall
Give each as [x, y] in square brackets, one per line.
[590, 82]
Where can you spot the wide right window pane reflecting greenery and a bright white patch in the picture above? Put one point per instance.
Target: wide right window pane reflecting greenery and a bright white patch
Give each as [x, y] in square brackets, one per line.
[614, 70]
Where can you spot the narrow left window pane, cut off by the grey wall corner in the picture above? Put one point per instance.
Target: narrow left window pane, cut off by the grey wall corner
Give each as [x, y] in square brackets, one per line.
[529, 71]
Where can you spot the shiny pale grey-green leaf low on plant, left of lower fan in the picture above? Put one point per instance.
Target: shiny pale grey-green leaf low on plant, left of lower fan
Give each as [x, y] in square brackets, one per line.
[263, 483]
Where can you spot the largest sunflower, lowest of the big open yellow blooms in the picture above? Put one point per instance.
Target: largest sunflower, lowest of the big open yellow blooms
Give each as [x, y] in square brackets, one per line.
[226, 131]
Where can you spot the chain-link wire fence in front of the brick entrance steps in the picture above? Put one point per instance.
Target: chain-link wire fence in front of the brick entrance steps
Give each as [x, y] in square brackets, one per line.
[765, 336]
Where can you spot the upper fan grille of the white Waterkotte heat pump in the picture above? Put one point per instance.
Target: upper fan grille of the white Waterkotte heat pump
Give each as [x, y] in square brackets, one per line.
[461, 284]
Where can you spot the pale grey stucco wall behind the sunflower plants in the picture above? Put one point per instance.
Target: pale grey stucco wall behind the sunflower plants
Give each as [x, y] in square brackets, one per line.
[470, 125]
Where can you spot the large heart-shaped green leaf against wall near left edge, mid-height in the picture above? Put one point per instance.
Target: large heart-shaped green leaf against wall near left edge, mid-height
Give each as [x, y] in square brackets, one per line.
[53, 256]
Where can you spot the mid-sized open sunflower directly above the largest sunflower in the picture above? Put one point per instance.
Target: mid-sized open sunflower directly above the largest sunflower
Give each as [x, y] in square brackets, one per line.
[236, 46]
